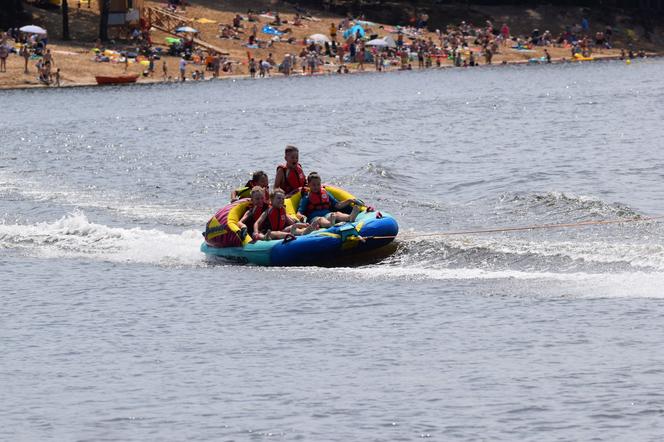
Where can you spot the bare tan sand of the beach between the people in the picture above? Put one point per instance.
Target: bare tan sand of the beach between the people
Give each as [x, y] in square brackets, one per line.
[76, 58]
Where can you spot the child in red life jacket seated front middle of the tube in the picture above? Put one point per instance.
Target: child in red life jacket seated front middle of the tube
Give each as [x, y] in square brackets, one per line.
[275, 223]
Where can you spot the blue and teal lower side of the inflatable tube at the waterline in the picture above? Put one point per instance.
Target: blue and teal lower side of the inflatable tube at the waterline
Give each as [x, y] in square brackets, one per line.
[337, 245]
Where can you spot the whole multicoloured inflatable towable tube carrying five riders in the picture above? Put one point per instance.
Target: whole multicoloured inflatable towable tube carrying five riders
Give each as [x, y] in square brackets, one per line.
[346, 242]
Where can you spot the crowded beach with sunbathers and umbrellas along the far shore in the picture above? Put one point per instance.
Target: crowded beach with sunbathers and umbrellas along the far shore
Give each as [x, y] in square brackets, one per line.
[288, 41]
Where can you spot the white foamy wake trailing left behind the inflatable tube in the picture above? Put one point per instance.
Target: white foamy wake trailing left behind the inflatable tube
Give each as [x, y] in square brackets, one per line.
[74, 236]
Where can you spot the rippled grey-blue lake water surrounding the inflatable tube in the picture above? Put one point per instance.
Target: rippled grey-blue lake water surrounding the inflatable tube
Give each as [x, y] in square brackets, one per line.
[114, 327]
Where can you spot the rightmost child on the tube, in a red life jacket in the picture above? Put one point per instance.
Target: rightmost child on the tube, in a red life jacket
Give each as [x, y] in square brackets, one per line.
[320, 207]
